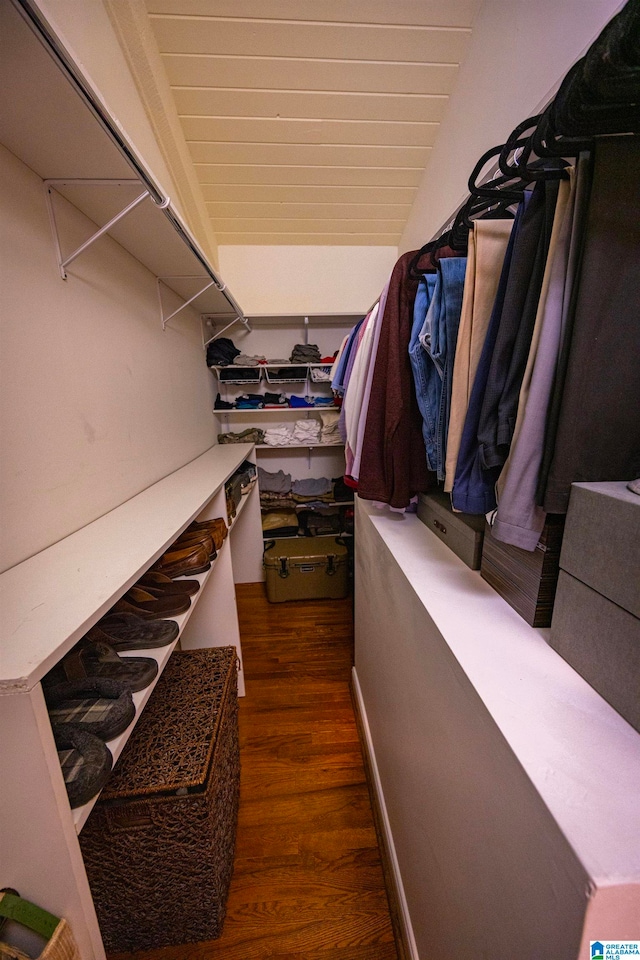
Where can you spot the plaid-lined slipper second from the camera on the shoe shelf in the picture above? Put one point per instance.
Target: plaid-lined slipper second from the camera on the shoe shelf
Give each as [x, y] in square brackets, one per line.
[101, 707]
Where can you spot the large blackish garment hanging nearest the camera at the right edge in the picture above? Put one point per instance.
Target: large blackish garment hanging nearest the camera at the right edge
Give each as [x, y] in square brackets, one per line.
[599, 425]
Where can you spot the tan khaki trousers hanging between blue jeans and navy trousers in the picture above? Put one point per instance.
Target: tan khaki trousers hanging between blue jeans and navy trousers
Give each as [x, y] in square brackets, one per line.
[487, 247]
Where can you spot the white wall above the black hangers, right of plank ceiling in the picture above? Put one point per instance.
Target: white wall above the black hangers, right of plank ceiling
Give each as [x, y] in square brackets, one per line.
[519, 52]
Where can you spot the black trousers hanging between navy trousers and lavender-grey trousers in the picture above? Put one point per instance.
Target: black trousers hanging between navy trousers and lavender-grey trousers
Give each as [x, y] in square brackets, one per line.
[509, 359]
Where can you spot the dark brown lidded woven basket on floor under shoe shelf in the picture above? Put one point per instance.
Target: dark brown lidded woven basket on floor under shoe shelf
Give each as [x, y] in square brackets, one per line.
[158, 846]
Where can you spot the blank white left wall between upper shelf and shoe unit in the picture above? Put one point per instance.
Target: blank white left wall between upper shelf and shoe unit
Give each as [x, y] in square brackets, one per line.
[97, 401]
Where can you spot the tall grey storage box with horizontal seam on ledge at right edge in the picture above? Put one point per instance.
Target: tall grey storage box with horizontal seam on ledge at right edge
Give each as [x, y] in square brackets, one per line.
[596, 620]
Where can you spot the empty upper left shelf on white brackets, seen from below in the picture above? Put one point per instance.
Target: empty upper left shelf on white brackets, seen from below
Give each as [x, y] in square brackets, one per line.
[60, 128]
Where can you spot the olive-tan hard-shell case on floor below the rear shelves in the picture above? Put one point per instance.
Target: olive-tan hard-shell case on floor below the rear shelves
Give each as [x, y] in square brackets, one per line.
[306, 568]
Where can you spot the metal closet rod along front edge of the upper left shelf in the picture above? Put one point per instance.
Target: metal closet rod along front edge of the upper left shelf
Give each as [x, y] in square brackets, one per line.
[43, 32]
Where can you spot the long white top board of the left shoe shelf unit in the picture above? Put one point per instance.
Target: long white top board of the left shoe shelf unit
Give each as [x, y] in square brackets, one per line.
[50, 600]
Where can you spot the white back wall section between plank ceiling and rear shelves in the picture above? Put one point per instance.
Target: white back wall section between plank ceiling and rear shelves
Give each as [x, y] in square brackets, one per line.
[306, 279]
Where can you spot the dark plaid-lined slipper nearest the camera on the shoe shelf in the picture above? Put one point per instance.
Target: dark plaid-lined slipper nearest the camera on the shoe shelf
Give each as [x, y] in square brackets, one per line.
[85, 761]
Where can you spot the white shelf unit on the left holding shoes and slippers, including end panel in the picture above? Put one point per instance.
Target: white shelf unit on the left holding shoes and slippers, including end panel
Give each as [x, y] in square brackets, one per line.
[49, 602]
